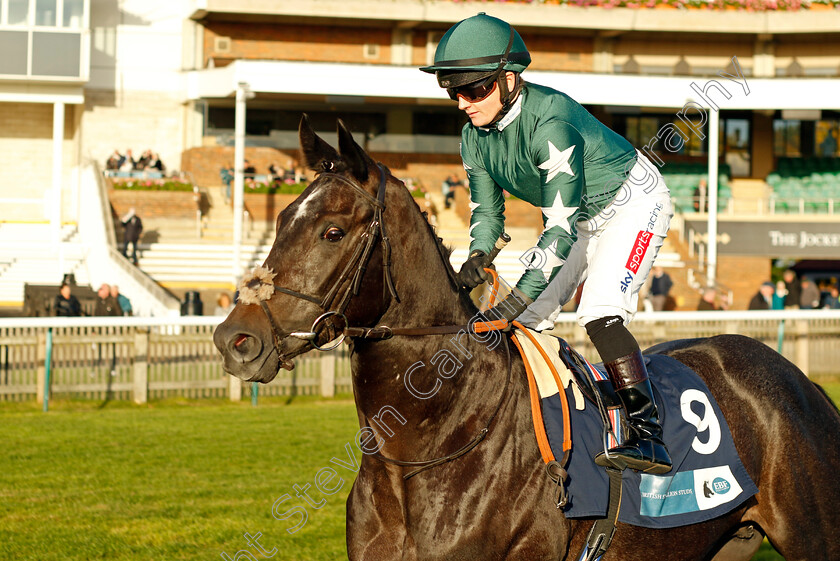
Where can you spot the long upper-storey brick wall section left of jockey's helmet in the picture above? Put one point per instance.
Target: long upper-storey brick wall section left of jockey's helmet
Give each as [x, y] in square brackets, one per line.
[283, 41]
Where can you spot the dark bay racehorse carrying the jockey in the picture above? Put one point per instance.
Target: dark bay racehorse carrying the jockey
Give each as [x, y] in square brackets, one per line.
[495, 502]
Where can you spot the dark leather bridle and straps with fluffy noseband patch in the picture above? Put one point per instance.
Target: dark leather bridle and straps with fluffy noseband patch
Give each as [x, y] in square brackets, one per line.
[262, 282]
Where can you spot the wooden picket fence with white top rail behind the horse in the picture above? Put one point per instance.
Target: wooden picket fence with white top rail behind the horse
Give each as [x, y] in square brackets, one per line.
[155, 358]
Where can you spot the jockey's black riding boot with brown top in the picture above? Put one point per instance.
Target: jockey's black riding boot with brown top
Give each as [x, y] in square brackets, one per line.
[643, 450]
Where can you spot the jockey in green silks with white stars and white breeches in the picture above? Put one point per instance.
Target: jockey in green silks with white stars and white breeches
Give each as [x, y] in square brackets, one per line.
[606, 210]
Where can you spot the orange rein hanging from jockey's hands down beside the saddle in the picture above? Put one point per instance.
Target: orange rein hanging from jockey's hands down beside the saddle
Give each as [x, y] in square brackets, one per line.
[536, 410]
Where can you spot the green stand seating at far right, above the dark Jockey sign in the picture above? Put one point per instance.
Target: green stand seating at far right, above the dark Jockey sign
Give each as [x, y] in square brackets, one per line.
[806, 185]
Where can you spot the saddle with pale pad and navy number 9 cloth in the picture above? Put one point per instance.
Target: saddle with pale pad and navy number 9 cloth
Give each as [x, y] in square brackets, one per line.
[708, 478]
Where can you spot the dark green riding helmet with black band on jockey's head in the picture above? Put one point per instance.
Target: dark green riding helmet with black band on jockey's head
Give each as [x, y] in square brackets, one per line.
[477, 48]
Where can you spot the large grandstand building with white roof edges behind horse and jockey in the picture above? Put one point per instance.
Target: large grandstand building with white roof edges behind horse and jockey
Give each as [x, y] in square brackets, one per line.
[766, 77]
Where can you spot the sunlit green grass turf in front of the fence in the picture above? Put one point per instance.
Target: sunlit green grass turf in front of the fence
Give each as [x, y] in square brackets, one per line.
[174, 480]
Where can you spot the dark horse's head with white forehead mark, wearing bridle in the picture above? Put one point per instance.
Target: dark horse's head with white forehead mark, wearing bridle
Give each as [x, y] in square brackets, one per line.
[329, 257]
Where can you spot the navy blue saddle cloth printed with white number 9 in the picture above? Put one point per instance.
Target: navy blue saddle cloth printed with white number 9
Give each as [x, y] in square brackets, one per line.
[707, 480]
